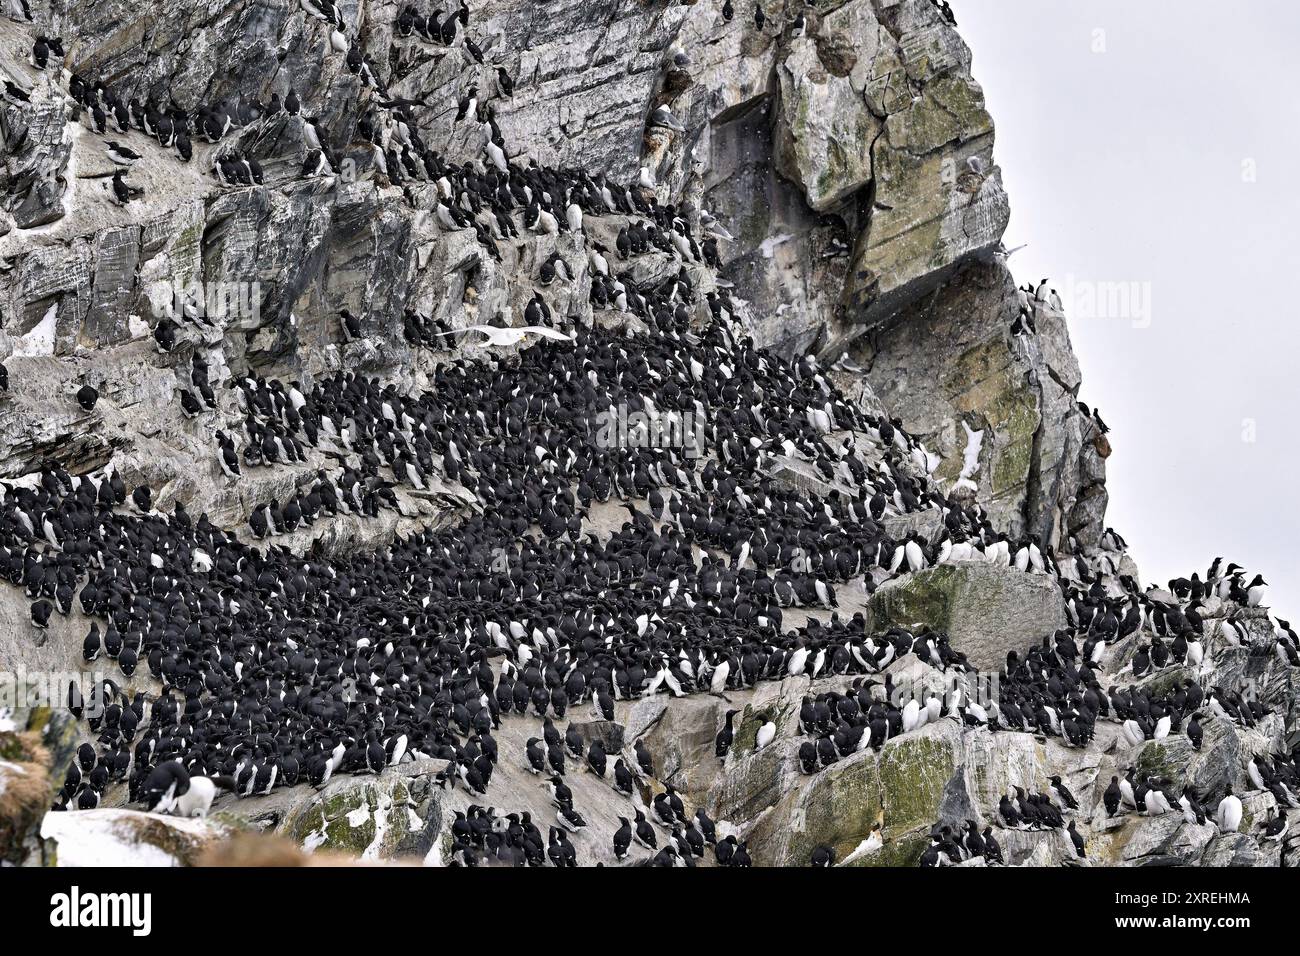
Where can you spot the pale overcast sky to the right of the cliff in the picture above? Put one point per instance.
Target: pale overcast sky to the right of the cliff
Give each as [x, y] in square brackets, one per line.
[1151, 150]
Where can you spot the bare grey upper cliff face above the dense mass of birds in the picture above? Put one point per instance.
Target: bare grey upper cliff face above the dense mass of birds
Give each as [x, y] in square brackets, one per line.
[853, 166]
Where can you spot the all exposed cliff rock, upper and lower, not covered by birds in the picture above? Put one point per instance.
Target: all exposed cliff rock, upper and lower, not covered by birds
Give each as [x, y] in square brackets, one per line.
[852, 163]
